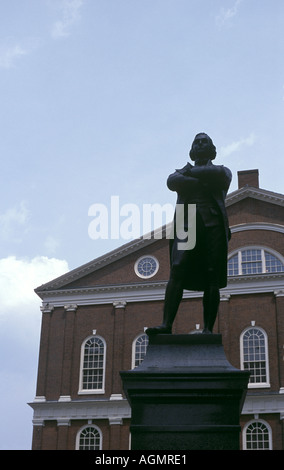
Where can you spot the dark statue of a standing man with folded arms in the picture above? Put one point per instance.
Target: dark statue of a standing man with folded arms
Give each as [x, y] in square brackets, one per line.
[203, 268]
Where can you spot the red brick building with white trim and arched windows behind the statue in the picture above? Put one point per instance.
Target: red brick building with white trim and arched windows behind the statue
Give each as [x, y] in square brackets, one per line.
[94, 317]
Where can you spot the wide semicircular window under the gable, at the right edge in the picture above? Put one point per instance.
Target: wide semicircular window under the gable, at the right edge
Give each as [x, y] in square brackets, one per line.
[255, 260]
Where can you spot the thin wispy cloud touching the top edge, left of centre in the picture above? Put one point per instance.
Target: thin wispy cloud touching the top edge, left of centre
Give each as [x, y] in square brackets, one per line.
[70, 15]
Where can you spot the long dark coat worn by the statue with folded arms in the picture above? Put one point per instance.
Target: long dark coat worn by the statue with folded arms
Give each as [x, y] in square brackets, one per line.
[207, 187]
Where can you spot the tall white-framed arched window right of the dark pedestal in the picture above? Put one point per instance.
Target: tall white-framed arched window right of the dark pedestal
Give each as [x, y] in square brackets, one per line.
[254, 356]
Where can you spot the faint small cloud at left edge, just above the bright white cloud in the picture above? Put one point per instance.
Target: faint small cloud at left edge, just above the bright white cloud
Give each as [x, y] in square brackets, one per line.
[12, 219]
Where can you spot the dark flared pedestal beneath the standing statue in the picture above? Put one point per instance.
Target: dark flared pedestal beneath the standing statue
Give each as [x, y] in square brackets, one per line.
[185, 395]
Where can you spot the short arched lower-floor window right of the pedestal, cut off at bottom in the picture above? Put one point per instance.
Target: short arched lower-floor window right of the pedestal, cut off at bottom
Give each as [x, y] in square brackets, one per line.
[257, 435]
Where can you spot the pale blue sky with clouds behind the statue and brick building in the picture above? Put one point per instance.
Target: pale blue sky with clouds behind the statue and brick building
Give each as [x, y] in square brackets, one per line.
[102, 99]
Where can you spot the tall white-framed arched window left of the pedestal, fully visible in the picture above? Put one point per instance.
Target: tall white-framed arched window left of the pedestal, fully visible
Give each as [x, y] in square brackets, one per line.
[92, 374]
